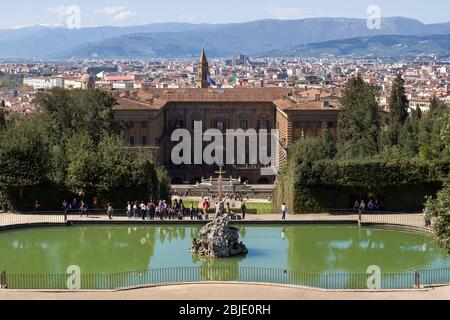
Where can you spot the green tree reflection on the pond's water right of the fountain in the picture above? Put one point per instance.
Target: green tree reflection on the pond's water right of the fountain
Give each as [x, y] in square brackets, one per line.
[352, 250]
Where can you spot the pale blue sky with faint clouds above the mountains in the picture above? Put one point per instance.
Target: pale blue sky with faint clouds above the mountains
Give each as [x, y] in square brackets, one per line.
[21, 13]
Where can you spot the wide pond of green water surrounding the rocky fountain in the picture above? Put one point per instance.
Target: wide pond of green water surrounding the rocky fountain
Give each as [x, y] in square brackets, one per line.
[309, 248]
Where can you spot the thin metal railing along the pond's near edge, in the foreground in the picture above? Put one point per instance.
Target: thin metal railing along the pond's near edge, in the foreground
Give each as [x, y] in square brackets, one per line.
[177, 275]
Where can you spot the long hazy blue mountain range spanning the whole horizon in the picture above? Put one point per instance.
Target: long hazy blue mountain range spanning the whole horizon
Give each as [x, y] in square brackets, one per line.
[185, 40]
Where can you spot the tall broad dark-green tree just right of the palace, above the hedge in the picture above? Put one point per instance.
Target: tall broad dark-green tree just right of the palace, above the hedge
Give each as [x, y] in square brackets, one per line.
[358, 129]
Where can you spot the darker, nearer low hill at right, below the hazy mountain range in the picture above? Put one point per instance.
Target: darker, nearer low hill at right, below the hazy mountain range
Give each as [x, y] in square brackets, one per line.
[386, 46]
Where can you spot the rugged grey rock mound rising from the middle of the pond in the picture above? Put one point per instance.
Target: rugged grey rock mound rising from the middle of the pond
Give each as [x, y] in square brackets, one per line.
[218, 239]
